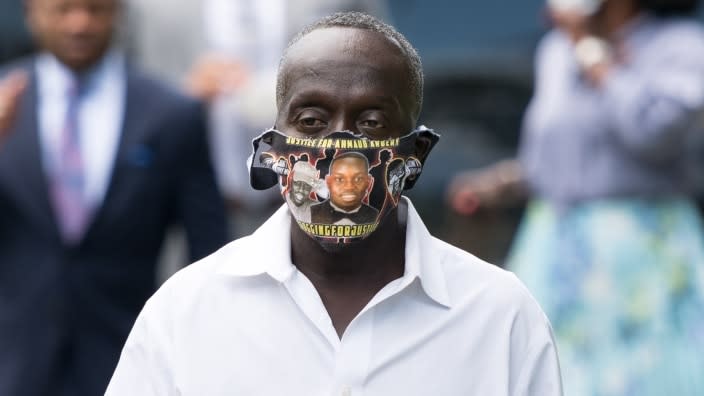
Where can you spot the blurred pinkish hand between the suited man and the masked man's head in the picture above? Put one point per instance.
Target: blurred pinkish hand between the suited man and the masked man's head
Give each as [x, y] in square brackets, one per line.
[215, 74]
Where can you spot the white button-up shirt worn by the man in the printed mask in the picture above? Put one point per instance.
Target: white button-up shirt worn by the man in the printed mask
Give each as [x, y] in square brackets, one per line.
[245, 321]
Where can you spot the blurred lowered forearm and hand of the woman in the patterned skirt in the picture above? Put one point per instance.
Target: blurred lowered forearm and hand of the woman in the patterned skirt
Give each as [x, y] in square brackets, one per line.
[500, 185]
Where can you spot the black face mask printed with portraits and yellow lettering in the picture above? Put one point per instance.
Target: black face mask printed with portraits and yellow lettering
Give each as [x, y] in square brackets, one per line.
[339, 187]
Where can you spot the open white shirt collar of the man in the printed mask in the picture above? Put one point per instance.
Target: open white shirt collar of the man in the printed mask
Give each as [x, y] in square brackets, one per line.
[423, 260]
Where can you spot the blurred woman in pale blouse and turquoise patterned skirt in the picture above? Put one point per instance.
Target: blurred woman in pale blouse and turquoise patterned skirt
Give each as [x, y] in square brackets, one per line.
[611, 243]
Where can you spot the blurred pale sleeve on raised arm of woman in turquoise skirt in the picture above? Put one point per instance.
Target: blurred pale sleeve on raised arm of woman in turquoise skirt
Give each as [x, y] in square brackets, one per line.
[653, 102]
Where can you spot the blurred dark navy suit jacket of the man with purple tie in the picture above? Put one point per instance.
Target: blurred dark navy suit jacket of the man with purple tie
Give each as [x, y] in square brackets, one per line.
[65, 311]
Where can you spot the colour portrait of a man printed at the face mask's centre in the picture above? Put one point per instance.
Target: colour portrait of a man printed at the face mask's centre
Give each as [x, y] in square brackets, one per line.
[348, 182]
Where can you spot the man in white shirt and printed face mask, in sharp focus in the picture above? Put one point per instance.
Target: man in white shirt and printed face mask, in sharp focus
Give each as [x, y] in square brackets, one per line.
[285, 311]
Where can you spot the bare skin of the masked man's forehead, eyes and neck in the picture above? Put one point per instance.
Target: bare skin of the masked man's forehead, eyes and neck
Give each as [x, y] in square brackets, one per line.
[348, 79]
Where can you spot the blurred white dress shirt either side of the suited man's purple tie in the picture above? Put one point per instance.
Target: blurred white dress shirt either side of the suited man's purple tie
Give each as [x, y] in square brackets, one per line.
[100, 117]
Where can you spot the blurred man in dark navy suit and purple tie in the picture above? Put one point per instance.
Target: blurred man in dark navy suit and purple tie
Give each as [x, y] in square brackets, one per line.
[96, 161]
